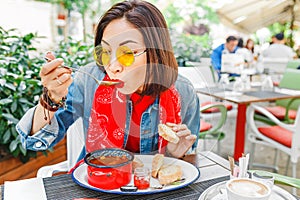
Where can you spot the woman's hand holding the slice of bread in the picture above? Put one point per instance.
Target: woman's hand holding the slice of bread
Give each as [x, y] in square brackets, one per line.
[186, 140]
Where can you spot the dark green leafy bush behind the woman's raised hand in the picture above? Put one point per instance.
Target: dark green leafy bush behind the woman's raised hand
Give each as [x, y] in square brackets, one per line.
[20, 85]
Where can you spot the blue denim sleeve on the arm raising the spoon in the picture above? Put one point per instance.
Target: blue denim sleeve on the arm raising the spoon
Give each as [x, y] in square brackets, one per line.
[50, 135]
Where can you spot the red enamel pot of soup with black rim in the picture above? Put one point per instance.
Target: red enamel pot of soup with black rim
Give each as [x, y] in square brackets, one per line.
[109, 177]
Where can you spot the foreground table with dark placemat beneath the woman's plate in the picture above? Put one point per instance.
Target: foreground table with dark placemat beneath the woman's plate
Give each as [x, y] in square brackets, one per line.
[213, 169]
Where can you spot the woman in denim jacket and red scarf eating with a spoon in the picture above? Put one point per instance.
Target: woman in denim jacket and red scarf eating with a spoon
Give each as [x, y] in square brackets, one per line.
[133, 48]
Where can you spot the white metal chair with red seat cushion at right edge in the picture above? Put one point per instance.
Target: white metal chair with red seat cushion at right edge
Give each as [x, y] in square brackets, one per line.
[281, 136]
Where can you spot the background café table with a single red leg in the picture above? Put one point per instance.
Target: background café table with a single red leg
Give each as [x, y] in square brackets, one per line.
[242, 101]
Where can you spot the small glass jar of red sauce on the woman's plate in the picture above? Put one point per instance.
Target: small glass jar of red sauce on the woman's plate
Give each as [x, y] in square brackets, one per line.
[142, 178]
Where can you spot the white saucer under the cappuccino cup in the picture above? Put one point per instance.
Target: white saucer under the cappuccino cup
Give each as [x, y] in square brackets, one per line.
[213, 193]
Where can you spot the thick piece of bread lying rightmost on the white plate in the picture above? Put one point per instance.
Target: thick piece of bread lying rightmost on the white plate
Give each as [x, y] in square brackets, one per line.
[169, 174]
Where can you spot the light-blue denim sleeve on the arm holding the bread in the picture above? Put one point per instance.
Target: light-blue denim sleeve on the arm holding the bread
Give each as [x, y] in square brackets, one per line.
[190, 106]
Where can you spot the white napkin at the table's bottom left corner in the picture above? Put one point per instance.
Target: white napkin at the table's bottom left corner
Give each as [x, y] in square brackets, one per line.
[25, 189]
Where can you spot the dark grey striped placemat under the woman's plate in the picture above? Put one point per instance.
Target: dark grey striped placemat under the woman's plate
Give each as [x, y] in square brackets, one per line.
[63, 187]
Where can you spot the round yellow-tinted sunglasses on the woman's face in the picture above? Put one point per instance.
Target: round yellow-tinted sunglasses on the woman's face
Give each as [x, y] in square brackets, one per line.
[124, 55]
